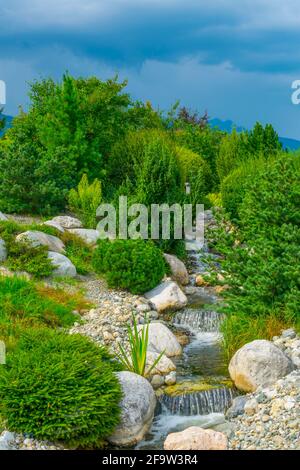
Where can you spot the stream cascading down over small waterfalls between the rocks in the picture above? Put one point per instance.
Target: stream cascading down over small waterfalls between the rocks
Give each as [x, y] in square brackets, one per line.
[203, 390]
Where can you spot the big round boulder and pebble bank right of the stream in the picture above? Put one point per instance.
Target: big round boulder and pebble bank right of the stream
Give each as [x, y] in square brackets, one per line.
[269, 417]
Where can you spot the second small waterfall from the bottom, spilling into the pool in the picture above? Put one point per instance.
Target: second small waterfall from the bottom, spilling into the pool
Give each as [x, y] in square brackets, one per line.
[199, 320]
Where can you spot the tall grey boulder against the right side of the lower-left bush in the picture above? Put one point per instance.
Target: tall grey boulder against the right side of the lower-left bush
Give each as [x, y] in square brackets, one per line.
[137, 405]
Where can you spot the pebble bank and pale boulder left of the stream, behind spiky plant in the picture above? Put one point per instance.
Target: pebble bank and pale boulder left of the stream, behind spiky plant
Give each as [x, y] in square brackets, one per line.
[107, 323]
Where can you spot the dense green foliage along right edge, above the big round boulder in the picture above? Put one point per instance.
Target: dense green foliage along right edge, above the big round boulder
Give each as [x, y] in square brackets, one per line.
[262, 253]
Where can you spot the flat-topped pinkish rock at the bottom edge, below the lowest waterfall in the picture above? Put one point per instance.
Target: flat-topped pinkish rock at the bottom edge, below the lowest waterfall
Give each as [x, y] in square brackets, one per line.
[196, 438]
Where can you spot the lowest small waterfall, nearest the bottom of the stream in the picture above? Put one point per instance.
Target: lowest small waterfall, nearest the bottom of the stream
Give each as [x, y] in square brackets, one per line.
[216, 400]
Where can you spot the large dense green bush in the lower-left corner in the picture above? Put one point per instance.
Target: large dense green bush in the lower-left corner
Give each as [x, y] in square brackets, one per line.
[60, 387]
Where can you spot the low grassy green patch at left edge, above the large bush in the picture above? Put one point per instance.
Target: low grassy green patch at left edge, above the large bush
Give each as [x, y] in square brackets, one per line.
[21, 300]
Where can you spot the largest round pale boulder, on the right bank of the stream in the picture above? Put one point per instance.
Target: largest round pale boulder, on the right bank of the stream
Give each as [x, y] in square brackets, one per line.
[259, 363]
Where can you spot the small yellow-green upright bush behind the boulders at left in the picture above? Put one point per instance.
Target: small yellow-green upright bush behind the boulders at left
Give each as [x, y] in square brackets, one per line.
[85, 200]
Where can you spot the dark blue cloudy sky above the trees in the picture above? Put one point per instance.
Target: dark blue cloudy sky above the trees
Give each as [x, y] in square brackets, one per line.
[235, 58]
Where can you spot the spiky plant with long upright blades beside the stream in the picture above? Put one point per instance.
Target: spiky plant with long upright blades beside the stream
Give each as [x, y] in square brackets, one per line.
[138, 344]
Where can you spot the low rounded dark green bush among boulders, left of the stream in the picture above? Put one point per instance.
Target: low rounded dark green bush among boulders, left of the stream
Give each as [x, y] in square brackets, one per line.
[135, 265]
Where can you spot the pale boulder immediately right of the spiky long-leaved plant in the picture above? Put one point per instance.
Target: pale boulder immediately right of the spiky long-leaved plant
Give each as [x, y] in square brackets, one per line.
[161, 339]
